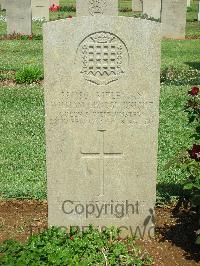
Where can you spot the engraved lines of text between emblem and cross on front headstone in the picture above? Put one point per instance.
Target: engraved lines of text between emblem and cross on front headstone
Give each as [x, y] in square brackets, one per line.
[80, 107]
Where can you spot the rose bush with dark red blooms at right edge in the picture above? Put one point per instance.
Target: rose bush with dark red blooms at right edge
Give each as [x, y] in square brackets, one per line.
[190, 159]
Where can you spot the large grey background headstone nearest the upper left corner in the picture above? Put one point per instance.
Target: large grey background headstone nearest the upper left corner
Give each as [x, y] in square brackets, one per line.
[18, 15]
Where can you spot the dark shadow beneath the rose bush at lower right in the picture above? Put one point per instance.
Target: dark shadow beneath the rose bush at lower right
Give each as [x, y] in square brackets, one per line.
[182, 233]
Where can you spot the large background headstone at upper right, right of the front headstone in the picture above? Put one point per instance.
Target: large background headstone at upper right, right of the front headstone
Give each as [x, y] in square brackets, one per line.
[173, 18]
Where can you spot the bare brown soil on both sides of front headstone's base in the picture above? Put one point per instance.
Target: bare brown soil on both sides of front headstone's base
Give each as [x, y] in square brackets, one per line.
[173, 244]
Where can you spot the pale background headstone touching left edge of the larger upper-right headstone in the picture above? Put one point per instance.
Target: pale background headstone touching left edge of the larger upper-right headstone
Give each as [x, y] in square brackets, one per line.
[152, 8]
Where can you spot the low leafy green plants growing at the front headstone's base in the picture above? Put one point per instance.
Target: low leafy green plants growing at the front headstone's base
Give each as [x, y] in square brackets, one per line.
[56, 247]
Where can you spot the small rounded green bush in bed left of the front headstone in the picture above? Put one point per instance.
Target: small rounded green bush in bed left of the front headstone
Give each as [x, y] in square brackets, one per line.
[28, 75]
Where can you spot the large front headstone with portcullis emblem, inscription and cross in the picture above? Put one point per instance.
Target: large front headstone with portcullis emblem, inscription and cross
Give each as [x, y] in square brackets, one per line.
[102, 82]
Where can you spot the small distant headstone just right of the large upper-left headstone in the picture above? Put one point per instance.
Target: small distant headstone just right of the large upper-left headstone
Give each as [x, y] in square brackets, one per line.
[40, 9]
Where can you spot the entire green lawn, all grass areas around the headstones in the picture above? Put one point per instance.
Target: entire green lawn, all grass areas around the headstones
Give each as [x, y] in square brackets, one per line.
[22, 141]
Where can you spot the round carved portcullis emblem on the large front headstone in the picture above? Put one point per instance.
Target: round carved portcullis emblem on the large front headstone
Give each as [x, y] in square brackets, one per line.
[103, 57]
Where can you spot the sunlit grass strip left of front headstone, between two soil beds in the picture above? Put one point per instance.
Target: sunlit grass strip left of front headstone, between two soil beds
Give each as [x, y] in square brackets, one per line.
[22, 145]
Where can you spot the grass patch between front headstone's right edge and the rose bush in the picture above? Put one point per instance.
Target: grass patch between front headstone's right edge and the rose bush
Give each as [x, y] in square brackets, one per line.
[174, 136]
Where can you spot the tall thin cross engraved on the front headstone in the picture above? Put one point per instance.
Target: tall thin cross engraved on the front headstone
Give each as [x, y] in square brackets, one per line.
[102, 155]
